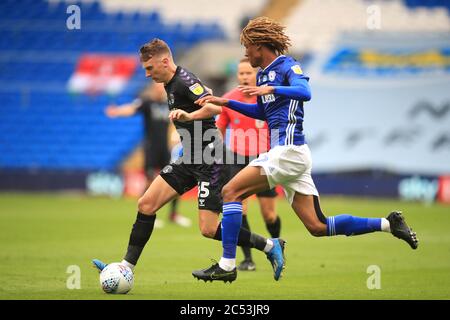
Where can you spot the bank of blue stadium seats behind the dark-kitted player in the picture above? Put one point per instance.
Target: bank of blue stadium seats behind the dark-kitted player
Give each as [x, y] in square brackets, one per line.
[42, 124]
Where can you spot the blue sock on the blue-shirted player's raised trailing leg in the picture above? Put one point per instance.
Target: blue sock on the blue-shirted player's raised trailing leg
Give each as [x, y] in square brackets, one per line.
[350, 225]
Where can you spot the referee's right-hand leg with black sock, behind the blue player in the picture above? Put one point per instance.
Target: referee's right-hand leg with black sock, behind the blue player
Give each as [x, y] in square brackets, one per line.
[266, 201]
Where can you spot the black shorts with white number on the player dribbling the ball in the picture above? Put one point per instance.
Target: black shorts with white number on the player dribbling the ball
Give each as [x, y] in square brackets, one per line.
[208, 177]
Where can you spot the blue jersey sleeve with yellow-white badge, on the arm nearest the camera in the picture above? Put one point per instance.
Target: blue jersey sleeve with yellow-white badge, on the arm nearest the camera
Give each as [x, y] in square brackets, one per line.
[298, 85]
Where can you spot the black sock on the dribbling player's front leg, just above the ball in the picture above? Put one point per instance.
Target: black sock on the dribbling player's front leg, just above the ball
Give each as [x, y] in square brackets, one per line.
[141, 232]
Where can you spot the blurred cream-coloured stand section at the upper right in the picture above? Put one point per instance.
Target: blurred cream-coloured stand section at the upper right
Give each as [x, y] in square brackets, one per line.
[318, 29]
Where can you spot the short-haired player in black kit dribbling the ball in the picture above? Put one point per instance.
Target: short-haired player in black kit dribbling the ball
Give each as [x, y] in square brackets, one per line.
[201, 163]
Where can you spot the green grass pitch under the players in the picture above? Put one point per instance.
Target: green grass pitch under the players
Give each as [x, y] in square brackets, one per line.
[42, 235]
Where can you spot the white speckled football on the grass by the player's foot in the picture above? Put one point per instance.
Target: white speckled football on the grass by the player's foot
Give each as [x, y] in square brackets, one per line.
[116, 278]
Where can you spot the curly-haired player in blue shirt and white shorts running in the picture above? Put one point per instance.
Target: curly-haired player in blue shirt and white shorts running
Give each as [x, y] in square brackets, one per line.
[281, 91]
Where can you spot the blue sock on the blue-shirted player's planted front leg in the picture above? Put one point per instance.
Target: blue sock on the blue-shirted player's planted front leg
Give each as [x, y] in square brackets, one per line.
[231, 224]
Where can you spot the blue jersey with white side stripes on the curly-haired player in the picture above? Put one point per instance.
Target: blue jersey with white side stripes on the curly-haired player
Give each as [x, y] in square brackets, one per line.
[283, 114]
